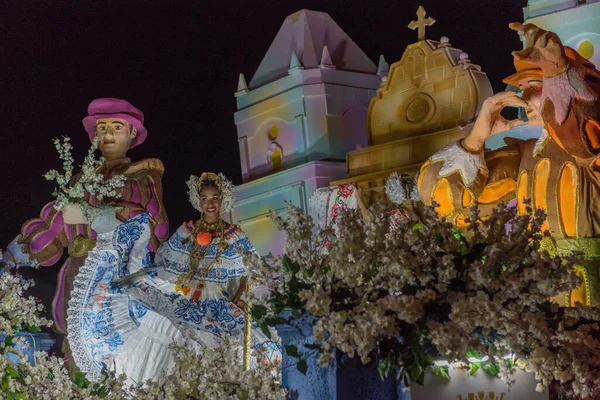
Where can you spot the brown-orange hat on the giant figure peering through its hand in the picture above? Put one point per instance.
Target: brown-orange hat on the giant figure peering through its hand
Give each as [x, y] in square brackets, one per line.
[542, 48]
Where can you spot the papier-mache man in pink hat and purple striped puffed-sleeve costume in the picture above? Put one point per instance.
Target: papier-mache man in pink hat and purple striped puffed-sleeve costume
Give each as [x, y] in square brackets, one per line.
[119, 127]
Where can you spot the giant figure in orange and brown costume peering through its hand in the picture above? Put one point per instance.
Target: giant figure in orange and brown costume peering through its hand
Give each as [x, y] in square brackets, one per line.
[559, 172]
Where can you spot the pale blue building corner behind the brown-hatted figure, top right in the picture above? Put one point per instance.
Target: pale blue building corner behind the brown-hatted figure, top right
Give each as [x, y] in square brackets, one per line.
[576, 22]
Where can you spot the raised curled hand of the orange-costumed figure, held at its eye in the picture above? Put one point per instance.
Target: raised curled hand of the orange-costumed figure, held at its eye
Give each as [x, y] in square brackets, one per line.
[490, 121]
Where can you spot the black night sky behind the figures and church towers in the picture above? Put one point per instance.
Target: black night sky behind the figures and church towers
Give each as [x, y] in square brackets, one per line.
[179, 63]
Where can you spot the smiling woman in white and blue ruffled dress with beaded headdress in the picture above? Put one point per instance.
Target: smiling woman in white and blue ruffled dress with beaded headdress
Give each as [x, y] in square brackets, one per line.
[201, 274]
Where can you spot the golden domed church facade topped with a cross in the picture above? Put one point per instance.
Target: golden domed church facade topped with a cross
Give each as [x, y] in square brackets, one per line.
[430, 98]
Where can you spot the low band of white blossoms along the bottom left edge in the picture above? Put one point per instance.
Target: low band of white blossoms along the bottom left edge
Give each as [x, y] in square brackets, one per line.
[213, 373]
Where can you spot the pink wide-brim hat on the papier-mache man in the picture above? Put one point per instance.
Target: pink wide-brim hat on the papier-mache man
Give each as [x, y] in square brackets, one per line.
[115, 108]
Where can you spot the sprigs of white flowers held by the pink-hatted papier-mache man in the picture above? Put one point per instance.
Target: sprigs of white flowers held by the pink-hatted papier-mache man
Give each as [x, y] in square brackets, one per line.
[90, 181]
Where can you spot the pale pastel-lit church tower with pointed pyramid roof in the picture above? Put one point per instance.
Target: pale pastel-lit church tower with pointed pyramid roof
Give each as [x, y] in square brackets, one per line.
[302, 111]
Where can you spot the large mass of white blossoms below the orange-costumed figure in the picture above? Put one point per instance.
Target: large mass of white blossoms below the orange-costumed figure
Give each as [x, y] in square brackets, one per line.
[428, 290]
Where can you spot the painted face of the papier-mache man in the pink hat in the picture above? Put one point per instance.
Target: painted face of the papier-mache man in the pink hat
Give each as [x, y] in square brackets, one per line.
[115, 136]
